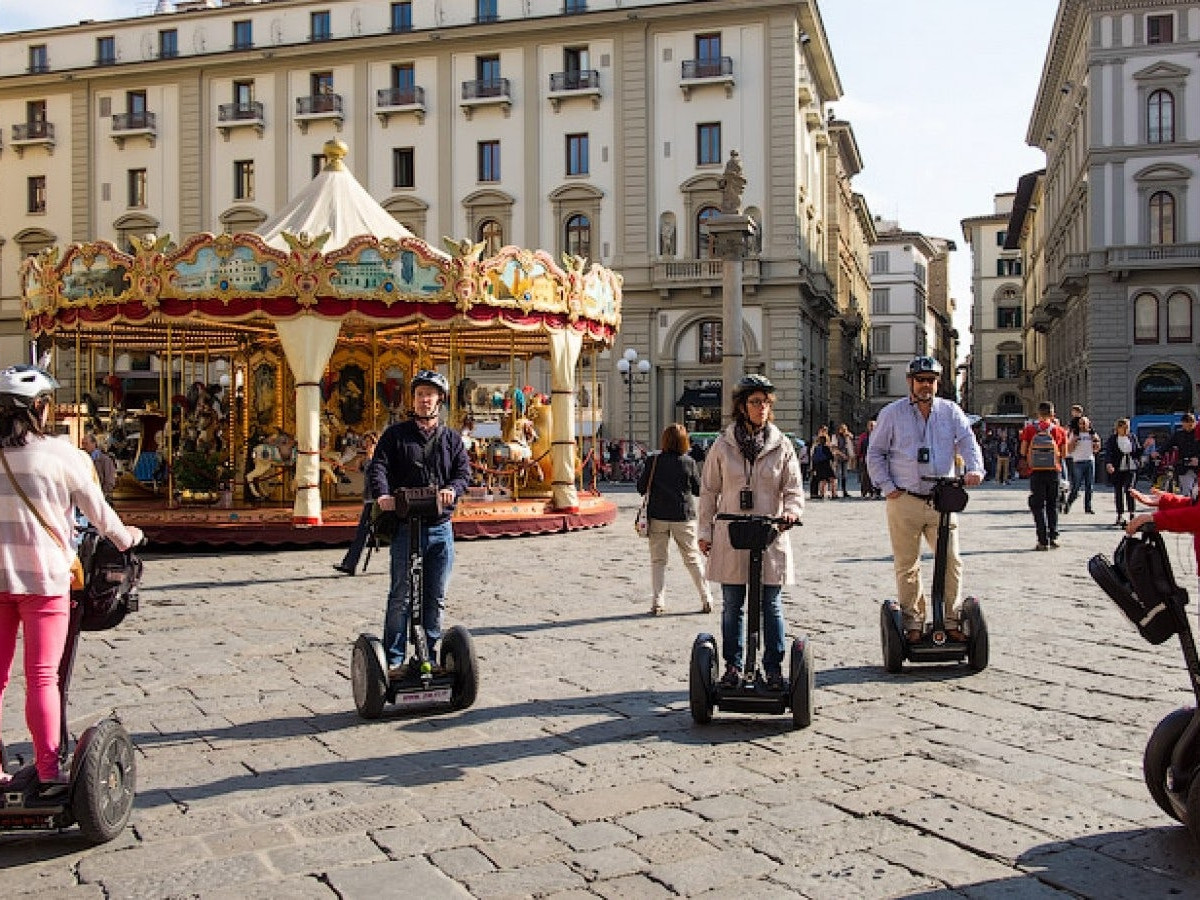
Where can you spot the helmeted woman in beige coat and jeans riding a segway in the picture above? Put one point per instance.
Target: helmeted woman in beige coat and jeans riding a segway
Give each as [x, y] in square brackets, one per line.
[755, 461]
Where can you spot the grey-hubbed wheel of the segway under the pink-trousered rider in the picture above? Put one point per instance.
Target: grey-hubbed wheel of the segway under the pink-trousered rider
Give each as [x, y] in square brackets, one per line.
[104, 781]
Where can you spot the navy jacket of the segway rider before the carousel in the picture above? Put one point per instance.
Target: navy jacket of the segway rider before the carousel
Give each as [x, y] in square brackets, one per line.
[400, 461]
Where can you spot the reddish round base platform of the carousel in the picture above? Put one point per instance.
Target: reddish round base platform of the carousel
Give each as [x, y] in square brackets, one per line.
[271, 525]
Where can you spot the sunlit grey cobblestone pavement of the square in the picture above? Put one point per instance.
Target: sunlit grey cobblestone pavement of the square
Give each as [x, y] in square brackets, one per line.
[580, 773]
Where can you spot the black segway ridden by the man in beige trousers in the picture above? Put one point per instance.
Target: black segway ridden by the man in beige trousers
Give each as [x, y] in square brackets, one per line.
[935, 645]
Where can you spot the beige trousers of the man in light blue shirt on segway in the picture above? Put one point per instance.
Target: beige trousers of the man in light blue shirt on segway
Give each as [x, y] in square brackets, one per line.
[910, 519]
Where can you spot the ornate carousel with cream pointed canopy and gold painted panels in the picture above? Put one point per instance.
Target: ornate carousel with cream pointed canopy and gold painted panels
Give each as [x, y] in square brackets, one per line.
[236, 377]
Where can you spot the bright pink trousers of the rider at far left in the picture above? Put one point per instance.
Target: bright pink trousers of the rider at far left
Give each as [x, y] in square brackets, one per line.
[45, 621]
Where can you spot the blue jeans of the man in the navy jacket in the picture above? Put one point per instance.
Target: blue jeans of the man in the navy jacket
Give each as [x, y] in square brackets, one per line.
[437, 550]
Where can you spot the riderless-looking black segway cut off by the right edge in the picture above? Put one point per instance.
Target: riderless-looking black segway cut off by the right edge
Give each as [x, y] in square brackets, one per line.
[1141, 581]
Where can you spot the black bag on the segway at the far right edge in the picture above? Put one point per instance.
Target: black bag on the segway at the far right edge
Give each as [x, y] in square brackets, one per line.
[1141, 583]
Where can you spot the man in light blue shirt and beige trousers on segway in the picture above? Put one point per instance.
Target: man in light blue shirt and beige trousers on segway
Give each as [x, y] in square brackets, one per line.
[922, 436]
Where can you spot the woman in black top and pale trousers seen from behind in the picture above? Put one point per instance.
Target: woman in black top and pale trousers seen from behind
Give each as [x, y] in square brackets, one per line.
[671, 481]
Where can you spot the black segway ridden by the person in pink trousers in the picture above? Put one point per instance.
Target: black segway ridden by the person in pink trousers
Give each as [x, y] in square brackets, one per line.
[99, 796]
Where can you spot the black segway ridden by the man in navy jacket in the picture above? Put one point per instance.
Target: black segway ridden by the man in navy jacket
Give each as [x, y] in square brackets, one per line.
[422, 682]
